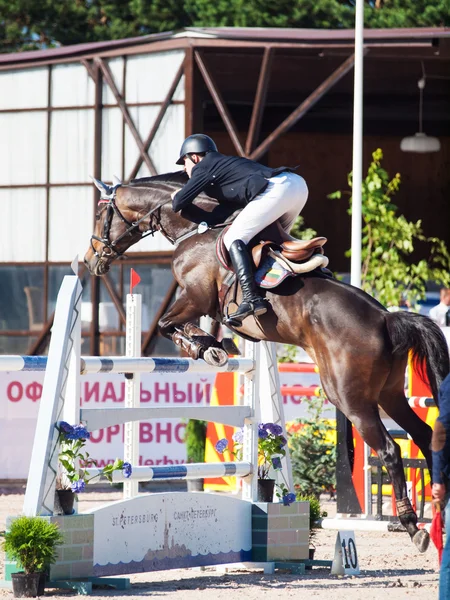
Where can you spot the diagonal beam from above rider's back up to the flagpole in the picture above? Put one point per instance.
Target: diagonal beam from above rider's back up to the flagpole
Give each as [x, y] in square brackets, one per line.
[303, 108]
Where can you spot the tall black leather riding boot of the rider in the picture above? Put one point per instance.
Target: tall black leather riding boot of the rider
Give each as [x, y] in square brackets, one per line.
[252, 303]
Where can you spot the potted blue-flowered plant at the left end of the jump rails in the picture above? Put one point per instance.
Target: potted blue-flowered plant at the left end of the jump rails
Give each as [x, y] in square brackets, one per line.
[73, 462]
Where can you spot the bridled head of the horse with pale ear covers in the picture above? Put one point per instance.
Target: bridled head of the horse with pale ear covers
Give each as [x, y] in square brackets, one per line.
[119, 225]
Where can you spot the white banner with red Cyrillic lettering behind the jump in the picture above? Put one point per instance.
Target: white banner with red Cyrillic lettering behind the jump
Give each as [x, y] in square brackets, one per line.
[161, 440]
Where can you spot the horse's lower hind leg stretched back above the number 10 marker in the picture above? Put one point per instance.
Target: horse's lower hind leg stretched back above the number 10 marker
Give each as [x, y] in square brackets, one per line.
[375, 435]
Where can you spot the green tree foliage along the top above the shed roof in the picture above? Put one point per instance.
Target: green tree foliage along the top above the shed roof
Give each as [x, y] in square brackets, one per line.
[31, 24]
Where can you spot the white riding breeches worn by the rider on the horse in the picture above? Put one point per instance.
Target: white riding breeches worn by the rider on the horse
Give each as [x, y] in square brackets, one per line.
[283, 199]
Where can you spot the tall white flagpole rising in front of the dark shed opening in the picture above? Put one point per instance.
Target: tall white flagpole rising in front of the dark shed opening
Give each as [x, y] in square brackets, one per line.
[355, 272]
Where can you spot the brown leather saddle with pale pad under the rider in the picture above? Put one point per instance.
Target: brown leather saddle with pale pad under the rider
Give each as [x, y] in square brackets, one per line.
[276, 257]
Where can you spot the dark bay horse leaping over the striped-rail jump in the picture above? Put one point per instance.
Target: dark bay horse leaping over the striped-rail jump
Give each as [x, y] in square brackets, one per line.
[361, 349]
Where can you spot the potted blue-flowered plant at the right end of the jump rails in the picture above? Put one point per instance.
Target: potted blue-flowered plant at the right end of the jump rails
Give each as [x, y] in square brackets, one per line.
[271, 448]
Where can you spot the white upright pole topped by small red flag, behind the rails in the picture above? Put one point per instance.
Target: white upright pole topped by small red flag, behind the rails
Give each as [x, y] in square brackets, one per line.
[132, 389]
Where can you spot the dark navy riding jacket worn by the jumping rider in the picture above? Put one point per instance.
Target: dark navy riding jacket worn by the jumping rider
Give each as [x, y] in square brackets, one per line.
[226, 179]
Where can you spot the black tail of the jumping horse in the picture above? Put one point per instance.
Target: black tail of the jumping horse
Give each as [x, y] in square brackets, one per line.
[411, 331]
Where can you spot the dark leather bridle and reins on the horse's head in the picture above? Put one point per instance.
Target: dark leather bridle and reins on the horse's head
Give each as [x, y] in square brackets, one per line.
[109, 249]
